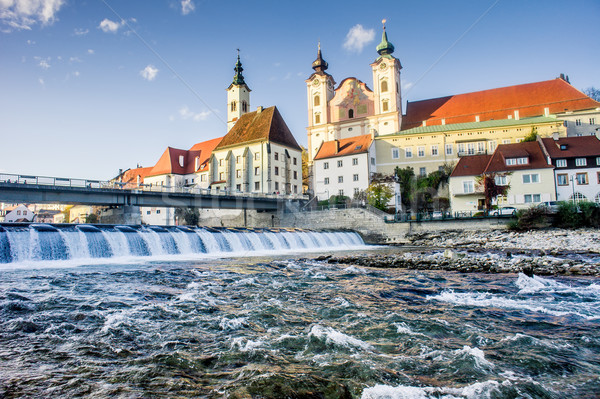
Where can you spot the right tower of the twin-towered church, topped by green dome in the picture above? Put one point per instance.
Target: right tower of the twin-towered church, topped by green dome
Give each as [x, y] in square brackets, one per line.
[386, 88]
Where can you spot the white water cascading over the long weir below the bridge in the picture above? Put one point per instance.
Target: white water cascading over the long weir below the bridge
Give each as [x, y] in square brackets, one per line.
[41, 242]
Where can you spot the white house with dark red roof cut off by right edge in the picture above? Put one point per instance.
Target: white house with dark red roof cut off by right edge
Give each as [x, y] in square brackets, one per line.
[577, 167]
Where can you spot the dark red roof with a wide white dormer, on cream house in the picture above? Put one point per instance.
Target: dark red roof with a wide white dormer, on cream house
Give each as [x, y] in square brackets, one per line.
[529, 149]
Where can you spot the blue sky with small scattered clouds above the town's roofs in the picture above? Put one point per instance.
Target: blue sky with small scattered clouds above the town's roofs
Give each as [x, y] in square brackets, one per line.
[91, 86]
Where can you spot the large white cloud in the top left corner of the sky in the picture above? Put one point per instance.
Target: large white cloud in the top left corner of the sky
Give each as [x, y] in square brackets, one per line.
[23, 14]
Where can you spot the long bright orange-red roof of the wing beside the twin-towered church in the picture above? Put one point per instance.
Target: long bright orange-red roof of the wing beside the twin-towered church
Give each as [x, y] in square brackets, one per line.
[529, 99]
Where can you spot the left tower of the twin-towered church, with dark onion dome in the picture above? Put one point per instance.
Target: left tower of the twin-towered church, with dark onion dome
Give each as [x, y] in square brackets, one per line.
[320, 91]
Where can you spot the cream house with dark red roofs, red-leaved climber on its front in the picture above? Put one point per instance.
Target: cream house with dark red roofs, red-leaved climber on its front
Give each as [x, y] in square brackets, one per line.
[523, 167]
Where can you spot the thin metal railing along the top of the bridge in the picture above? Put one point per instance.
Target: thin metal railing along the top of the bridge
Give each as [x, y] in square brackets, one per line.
[105, 184]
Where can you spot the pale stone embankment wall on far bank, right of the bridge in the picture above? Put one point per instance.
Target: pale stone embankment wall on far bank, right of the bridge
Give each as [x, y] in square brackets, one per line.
[375, 230]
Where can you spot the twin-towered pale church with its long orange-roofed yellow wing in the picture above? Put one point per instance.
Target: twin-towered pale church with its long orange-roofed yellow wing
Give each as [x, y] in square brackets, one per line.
[439, 131]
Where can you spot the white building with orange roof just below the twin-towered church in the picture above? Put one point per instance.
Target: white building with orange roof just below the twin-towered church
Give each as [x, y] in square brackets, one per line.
[344, 167]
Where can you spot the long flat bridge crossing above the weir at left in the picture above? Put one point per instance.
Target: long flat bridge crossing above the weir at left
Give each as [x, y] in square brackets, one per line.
[43, 189]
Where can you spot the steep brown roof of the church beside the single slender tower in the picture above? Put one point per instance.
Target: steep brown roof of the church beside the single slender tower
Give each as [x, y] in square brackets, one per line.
[260, 125]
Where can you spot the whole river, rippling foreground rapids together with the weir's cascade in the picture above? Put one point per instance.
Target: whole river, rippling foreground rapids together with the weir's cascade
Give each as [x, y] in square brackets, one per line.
[185, 323]
